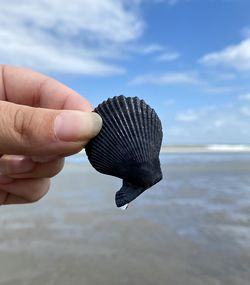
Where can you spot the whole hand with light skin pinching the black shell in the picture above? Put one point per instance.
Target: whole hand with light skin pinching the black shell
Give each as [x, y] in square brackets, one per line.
[41, 122]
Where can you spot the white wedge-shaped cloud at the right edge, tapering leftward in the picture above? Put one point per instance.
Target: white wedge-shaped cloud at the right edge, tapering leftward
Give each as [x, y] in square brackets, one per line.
[235, 56]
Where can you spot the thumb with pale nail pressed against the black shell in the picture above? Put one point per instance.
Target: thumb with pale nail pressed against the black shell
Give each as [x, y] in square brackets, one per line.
[37, 131]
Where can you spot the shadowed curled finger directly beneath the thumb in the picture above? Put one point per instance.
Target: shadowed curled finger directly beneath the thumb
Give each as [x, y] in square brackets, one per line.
[23, 167]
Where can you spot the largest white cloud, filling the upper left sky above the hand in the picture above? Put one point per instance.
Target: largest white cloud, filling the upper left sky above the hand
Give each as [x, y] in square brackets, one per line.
[80, 36]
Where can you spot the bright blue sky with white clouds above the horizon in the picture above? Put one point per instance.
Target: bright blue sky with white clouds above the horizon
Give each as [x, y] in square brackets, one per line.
[188, 59]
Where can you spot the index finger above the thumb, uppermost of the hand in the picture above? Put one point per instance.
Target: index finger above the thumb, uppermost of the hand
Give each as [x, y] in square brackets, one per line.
[26, 87]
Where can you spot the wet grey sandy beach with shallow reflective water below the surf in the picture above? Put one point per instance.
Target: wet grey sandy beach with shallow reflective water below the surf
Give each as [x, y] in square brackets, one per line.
[192, 228]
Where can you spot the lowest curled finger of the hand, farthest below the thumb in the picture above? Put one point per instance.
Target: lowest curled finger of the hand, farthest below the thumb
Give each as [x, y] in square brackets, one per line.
[24, 190]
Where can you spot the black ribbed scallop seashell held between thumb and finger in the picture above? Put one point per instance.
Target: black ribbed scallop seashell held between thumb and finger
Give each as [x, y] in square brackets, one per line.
[127, 146]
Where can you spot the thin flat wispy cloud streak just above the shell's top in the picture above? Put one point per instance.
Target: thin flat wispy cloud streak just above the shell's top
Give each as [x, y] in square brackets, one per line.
[167, 78]
